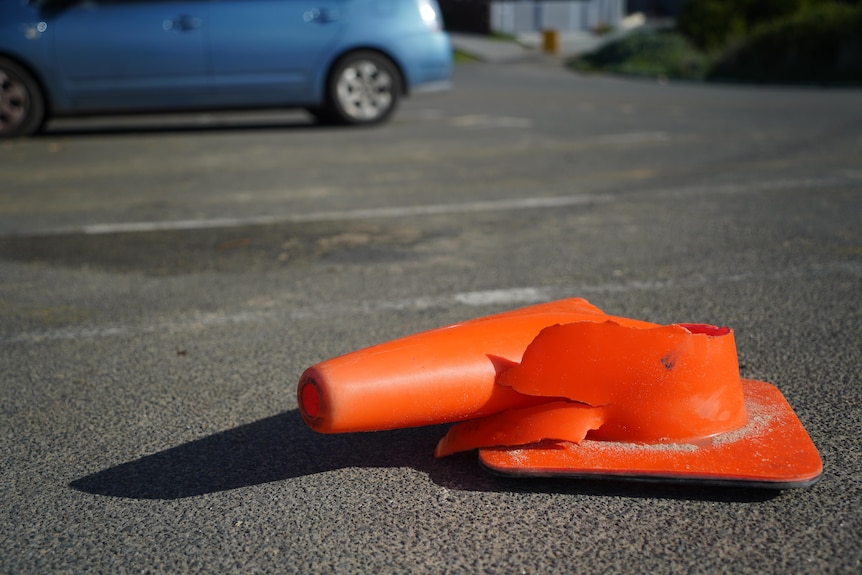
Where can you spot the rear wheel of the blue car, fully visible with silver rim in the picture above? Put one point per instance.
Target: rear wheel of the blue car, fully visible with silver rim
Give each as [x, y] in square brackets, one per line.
[364, 88]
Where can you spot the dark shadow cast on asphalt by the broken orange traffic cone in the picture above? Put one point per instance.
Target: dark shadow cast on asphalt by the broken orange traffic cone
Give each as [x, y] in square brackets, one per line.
[282, 447]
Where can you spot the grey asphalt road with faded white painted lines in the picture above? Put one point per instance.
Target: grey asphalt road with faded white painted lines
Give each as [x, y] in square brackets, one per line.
[164, 282]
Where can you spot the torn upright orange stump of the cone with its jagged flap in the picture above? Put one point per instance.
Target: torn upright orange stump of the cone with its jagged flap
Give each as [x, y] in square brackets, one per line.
[623, 383]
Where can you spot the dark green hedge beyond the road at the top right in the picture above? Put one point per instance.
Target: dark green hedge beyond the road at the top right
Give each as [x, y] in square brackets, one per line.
[818, 42]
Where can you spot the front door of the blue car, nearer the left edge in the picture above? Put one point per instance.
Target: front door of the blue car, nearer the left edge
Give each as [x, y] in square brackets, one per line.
[118, 54]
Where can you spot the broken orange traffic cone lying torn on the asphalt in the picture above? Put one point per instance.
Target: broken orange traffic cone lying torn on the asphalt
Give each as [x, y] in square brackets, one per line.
[564, 389]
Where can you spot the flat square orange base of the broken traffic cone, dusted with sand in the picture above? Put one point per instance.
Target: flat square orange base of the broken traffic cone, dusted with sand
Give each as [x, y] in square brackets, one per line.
[773, 450]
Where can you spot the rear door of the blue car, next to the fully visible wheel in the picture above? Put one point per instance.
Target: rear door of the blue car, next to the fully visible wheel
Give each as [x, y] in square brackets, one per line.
[269, 52]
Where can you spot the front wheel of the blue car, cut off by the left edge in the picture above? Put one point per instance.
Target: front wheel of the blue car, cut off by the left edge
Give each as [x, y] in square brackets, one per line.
[22, 106]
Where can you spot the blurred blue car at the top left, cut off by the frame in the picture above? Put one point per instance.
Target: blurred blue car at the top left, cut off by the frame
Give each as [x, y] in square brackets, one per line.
[346, 61]
